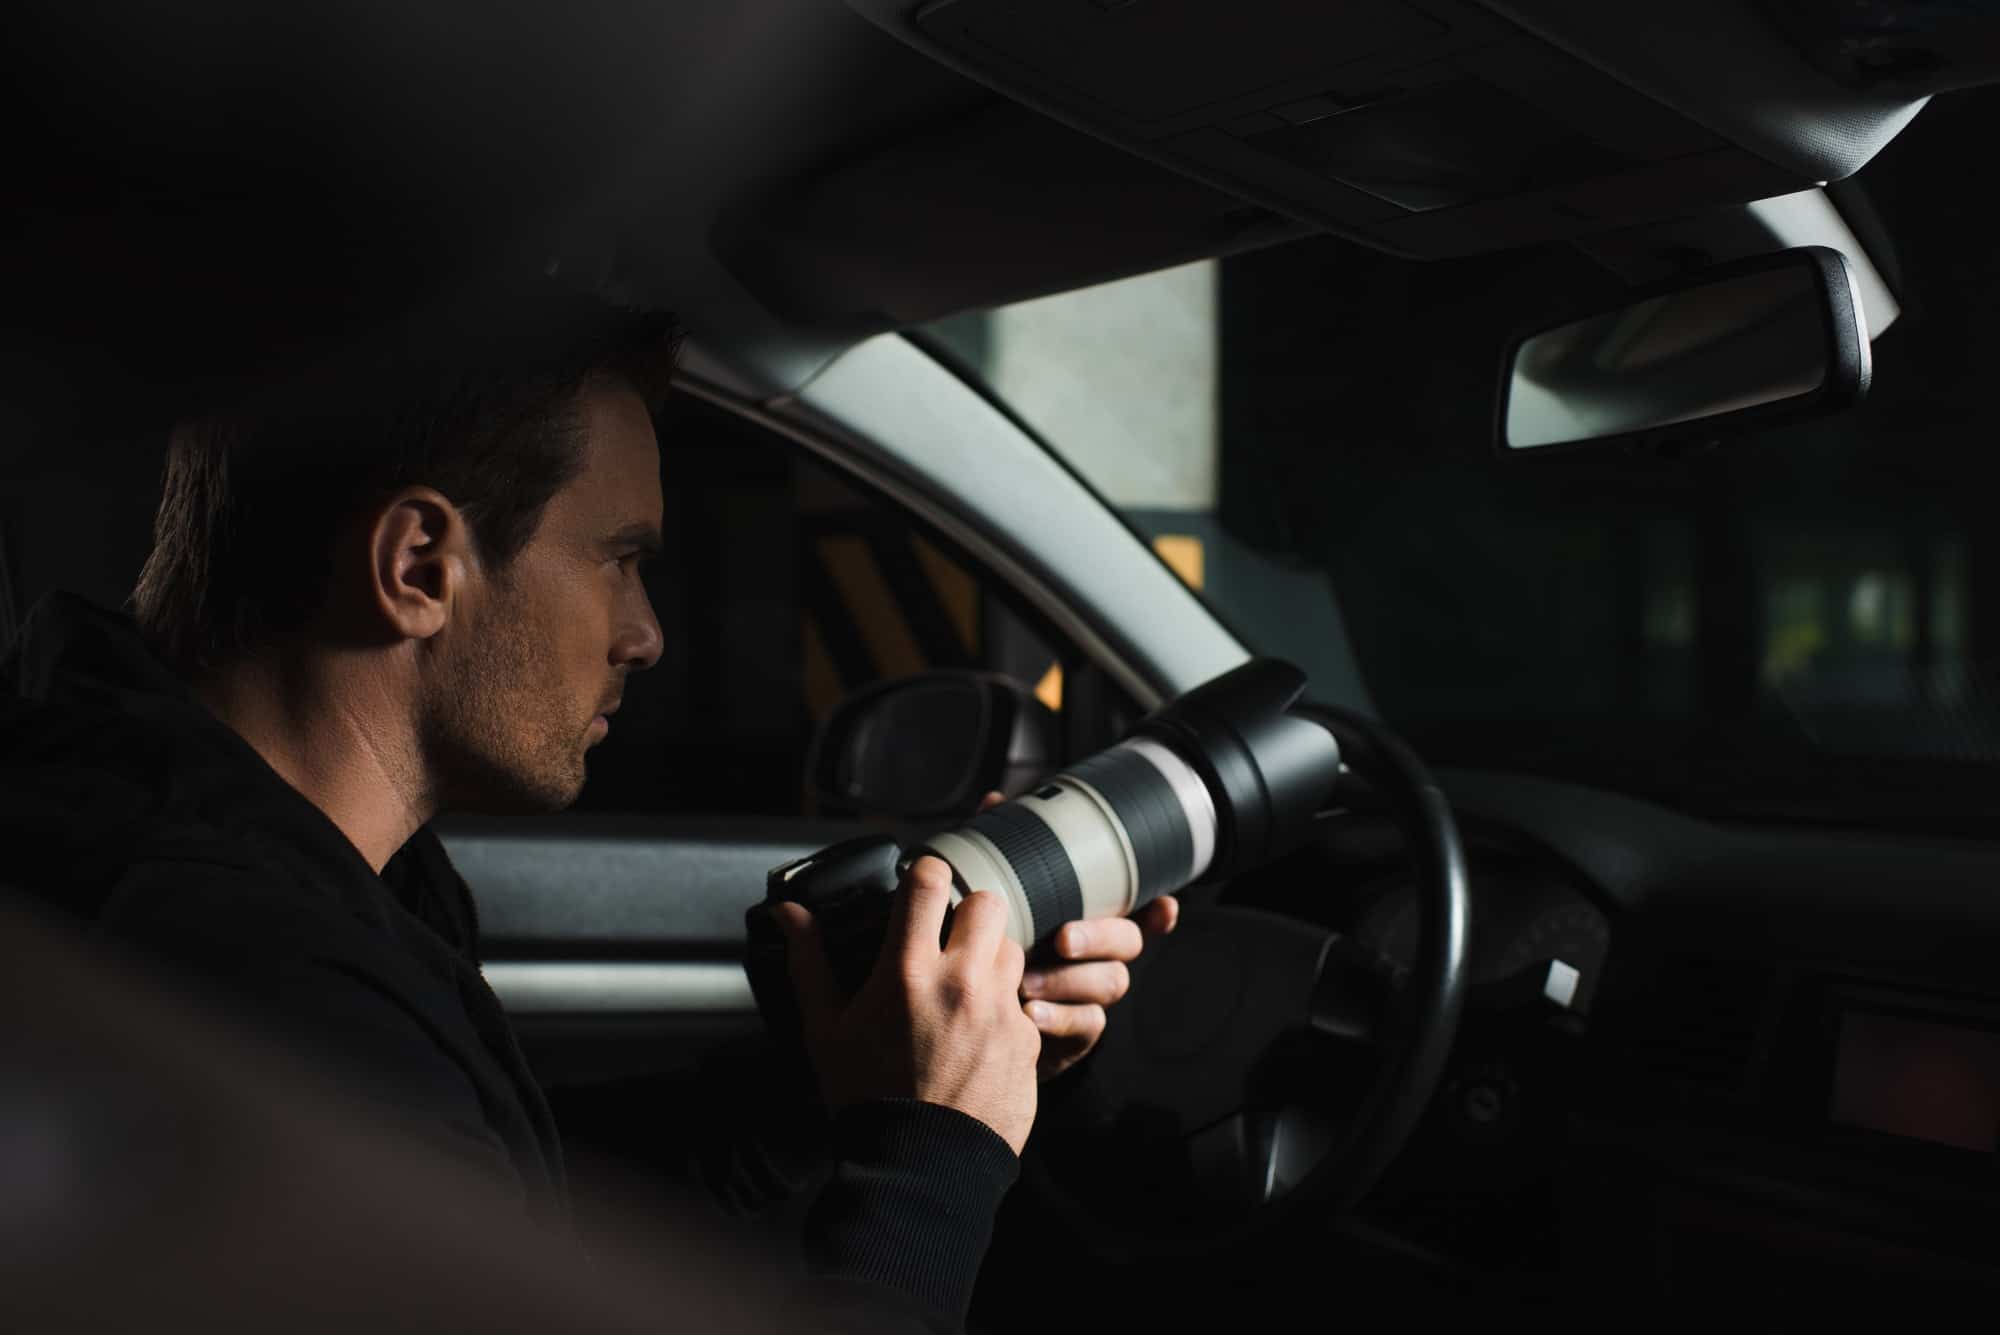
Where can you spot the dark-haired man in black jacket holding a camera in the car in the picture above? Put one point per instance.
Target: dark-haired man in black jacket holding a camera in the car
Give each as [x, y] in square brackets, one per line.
[409, 583]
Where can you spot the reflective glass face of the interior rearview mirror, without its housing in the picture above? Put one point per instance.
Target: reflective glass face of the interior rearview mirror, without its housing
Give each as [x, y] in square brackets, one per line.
[1711, 349]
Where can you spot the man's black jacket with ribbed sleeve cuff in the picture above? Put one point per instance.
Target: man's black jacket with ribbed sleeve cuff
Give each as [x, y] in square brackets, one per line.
[129, 804]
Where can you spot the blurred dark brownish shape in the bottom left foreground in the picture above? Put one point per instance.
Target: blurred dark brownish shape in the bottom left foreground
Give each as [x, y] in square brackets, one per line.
[159, 1172]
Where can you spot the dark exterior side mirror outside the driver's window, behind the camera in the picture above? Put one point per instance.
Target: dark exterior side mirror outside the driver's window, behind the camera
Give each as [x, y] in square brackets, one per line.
[931, 746]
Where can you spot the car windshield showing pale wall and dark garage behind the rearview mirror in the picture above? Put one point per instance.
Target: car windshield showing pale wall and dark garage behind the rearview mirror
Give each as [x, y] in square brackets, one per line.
[1799, 627]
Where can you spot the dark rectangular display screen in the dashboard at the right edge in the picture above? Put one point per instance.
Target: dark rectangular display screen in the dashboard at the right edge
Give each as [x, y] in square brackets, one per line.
[1919, 1078]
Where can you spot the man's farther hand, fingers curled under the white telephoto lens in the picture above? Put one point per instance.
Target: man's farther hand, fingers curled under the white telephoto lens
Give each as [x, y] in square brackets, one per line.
[1069, 1000]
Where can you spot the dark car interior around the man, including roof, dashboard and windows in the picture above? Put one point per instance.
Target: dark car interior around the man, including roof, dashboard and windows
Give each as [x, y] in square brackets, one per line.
[1073, 353]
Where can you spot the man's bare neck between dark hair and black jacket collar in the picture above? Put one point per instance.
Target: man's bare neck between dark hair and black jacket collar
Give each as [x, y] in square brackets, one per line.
[327, 732]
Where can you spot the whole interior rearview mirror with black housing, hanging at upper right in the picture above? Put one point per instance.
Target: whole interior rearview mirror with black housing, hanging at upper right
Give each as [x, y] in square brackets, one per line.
[1717, 353]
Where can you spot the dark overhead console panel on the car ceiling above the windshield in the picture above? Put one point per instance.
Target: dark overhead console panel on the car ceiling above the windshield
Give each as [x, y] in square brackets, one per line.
[1421, 127]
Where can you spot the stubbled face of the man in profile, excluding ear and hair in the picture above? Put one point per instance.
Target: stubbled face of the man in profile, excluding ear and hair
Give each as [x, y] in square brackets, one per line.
[529, 678]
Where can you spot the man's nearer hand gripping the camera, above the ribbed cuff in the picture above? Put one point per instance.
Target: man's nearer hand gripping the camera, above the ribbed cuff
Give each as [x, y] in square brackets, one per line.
[943, 1026]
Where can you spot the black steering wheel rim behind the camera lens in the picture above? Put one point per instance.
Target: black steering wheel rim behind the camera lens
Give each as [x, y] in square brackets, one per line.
[1413, 1034]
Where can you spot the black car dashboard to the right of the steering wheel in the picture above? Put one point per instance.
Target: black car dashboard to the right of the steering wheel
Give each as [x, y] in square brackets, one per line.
[1703, 1062]
